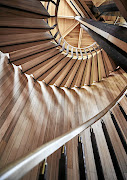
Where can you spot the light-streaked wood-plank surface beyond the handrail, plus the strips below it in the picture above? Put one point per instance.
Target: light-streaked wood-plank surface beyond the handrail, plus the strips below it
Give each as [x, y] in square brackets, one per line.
[33, 114]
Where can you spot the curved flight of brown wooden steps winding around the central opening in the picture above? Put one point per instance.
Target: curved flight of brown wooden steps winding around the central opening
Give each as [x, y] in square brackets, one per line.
[25, 38]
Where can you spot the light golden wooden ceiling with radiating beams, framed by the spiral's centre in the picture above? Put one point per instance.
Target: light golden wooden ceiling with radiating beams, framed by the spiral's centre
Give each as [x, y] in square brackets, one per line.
[70, 28]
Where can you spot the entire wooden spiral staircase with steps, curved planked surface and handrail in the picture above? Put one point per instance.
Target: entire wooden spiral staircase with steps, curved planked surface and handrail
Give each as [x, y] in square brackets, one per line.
[25, 41]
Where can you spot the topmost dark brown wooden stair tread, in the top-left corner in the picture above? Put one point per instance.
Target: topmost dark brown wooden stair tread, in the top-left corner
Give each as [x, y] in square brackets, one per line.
[33, 6]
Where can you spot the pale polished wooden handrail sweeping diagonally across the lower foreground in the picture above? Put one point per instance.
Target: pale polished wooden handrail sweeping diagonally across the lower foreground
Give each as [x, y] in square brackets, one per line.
[20, 167]
